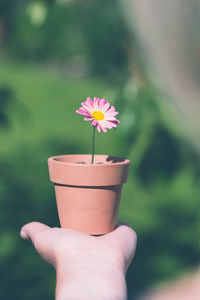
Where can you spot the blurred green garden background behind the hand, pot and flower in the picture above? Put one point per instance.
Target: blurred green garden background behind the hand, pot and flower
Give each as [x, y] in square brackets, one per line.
[55, 53]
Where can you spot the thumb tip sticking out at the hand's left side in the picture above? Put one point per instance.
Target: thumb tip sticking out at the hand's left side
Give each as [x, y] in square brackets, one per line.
[30, 230]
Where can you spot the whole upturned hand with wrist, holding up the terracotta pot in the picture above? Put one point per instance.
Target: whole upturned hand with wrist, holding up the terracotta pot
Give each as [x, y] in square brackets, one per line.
[88, 267]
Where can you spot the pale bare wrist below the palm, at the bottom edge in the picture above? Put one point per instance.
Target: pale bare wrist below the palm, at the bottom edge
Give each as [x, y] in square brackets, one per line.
[90, 281]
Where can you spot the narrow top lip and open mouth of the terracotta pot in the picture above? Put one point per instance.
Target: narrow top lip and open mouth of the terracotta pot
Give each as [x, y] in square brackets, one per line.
[110, 160]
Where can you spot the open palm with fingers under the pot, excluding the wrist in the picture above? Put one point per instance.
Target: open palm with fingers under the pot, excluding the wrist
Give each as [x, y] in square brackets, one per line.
[56, 244]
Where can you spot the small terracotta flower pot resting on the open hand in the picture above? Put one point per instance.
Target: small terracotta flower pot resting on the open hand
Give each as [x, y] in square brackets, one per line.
[88, 195]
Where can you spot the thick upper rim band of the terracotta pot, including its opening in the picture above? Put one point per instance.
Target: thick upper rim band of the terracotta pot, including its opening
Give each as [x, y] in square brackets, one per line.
[87, 174]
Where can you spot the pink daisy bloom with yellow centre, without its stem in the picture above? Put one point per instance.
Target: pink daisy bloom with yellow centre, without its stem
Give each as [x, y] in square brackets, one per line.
[100, 112]
